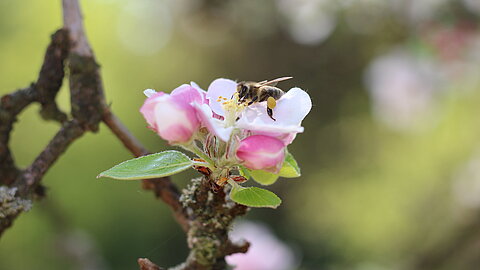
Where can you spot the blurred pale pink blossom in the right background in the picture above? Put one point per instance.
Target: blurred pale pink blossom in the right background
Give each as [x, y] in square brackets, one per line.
[402, 89]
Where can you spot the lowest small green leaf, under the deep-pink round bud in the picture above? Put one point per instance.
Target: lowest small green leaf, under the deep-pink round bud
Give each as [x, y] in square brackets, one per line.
[254, 197]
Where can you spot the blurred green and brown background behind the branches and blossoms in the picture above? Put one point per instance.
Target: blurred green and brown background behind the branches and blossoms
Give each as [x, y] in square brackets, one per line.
[390, 155]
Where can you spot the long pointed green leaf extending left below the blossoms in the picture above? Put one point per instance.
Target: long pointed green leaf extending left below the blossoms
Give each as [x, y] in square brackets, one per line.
[151, 166]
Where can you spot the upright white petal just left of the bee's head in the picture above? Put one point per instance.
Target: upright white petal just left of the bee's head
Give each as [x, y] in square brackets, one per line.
[220, 88]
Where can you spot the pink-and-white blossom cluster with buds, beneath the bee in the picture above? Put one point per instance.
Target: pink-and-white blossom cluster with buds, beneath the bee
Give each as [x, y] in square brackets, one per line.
[223, 131]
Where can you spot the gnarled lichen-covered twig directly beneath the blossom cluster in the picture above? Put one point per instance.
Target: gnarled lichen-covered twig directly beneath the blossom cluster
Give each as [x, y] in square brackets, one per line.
[210, 217]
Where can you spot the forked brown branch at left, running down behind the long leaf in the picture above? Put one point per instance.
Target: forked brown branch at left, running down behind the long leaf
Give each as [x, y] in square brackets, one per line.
[88, 110]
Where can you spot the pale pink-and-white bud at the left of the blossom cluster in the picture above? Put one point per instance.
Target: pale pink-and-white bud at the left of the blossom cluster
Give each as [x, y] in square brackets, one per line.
[172, 116]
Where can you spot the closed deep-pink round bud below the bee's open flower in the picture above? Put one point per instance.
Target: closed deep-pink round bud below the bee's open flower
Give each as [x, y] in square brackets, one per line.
[260, 152]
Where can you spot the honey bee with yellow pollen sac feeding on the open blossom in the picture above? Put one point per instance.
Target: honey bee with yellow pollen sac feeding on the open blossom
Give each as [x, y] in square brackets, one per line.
[251, 92]
